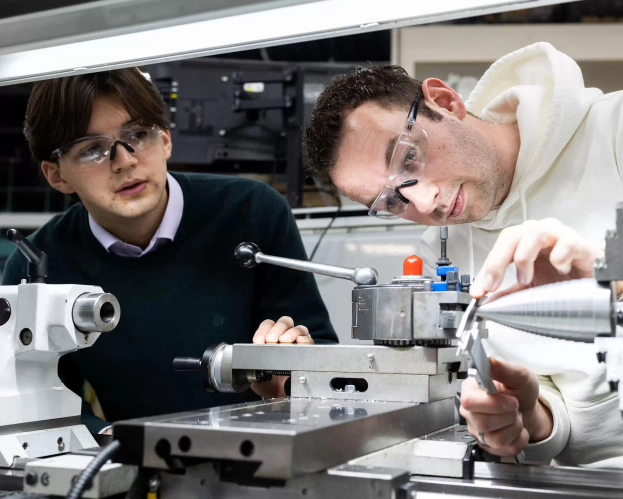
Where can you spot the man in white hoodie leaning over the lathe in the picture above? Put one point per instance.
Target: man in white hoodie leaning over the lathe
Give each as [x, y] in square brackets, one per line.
[531, 142]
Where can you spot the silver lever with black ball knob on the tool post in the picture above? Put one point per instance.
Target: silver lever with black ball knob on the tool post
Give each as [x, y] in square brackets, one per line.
[248, 255]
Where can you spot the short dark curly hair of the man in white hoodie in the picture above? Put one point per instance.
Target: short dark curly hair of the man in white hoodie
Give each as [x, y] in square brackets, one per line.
[388, 86]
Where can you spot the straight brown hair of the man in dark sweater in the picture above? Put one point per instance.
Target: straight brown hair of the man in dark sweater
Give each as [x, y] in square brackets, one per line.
[59, 111]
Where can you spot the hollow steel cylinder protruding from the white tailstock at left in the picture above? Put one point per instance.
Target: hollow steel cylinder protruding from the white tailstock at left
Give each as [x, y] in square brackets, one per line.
[96, 312]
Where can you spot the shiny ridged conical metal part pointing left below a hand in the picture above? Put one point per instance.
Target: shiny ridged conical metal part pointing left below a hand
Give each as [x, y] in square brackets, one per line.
[575, 310]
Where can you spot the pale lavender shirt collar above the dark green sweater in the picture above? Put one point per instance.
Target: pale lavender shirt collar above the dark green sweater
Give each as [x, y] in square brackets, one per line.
[165, 233]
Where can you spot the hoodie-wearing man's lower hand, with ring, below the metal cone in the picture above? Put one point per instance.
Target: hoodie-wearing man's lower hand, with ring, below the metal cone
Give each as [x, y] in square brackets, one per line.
[511, 419]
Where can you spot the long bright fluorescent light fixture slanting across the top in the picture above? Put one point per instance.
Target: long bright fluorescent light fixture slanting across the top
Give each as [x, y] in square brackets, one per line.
[272, 23]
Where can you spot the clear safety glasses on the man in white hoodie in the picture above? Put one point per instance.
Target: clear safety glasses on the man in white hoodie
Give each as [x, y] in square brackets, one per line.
[406, 164]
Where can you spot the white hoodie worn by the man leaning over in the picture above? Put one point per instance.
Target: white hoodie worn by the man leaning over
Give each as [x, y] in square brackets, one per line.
[569, 168]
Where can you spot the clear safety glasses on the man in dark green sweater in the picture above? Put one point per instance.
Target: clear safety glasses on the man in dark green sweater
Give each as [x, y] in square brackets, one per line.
[97, 149]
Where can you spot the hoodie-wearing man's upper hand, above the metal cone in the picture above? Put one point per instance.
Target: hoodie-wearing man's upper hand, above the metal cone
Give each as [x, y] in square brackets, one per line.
[544, 252]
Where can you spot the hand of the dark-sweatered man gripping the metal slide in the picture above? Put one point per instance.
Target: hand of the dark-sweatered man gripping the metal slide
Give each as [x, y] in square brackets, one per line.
[282, 331]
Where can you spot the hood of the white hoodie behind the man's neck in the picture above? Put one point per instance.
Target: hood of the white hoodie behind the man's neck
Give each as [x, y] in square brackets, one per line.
[542, 90]
